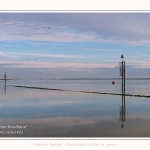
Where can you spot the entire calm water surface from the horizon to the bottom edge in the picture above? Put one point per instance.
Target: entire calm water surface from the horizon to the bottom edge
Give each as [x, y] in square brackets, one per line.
[26, 112]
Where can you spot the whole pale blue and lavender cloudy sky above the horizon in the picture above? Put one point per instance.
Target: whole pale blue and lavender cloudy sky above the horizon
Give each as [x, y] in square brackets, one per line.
[74, 44]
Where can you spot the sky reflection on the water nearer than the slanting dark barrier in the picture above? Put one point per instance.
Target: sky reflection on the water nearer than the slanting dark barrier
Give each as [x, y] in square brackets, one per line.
[72, 114]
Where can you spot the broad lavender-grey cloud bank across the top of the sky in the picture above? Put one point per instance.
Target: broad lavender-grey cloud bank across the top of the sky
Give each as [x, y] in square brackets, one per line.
[127, 28]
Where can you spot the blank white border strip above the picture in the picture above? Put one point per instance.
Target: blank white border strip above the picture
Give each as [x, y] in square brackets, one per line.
[74, 5]
